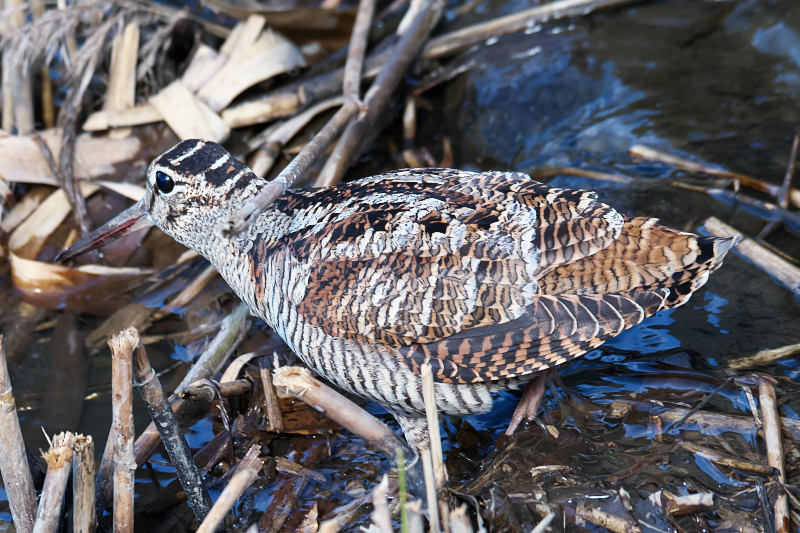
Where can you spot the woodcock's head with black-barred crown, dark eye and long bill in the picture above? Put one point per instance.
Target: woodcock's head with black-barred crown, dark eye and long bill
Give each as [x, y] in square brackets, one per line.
[191, 189]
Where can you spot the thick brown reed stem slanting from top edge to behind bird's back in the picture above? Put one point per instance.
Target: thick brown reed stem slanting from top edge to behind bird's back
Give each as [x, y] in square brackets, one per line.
[379, 94]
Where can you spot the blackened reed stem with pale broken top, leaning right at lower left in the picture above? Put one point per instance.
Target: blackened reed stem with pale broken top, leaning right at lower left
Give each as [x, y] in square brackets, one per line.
[171, 435]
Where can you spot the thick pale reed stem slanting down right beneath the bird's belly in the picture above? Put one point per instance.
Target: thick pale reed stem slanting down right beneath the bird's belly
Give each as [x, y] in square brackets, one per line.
[299, 383]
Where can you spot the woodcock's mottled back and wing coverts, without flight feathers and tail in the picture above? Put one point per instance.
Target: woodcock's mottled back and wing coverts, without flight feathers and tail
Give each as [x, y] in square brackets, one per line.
[417, 257]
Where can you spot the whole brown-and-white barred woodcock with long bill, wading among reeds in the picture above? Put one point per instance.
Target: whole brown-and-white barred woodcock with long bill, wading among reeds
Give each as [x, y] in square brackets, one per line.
[490, 277]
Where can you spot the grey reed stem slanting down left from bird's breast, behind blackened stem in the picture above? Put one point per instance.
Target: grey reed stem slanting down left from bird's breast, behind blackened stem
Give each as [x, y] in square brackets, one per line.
[230, 334]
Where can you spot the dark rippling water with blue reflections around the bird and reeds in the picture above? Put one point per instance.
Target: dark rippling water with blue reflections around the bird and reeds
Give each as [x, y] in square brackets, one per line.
[714, 80]
